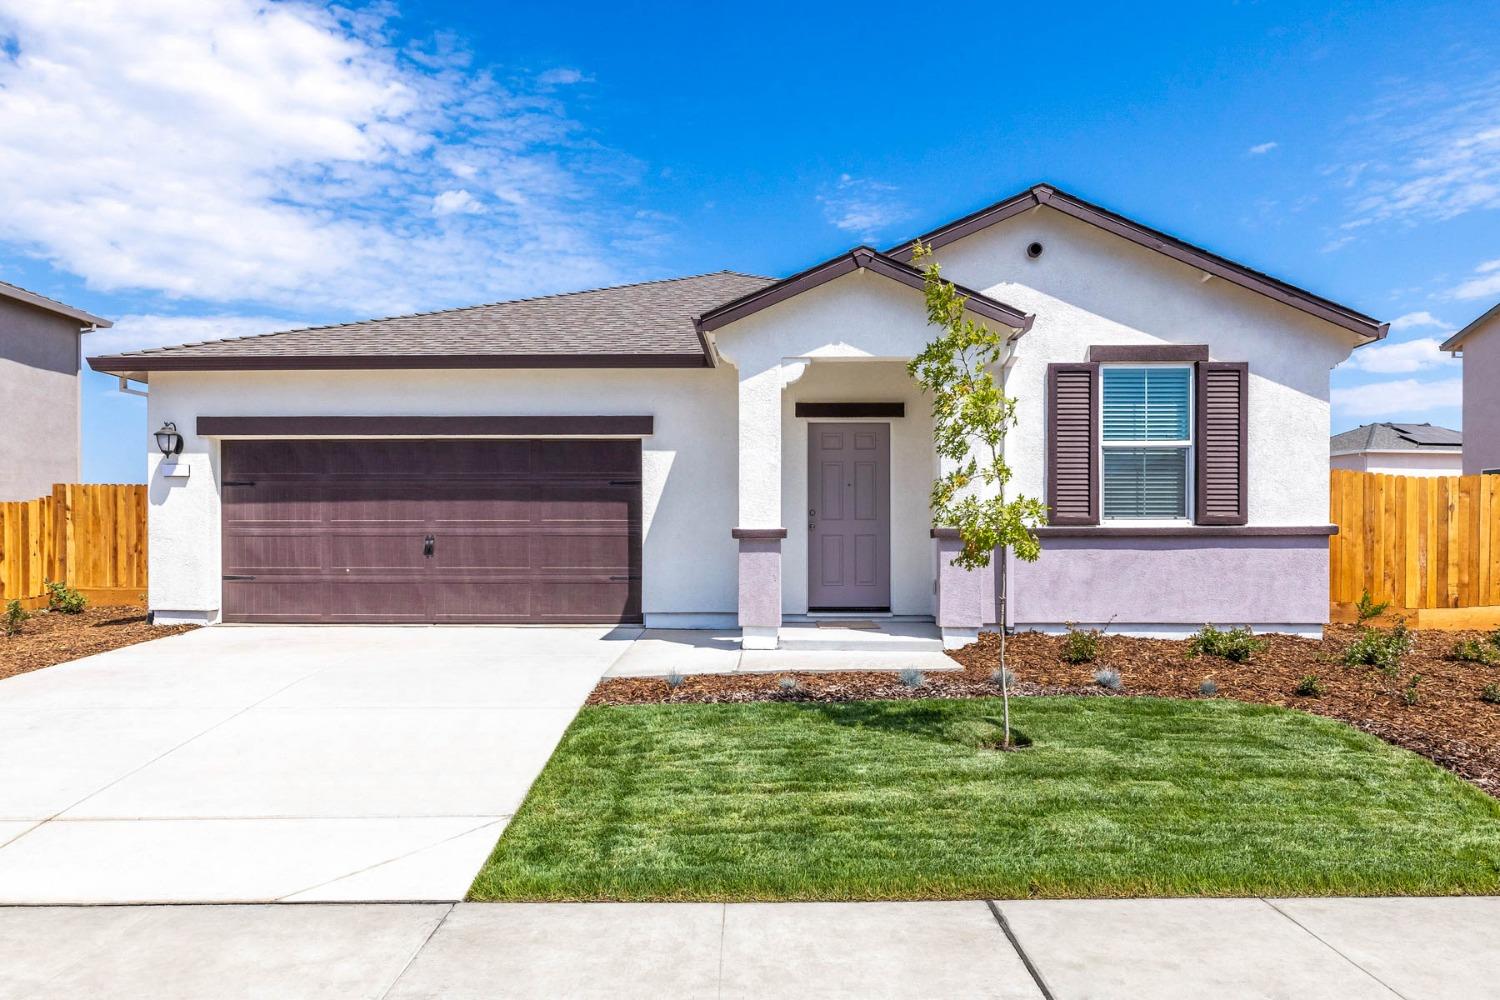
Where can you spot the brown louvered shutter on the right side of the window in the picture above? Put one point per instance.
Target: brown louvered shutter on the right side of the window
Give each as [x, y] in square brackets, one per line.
[1222, 443]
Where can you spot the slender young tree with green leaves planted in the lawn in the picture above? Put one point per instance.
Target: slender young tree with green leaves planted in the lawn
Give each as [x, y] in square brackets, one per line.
[971, 415]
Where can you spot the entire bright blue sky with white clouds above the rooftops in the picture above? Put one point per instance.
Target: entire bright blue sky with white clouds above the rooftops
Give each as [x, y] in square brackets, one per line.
[199, 169]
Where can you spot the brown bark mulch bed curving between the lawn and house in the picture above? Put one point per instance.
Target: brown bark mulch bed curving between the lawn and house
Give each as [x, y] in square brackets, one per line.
[1450, 723]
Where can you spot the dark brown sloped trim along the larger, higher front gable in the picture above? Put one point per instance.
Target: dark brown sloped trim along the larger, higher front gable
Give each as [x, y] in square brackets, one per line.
[1153, 241]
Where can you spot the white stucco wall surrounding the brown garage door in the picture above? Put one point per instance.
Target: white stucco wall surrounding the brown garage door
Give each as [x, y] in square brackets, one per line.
[689, 464]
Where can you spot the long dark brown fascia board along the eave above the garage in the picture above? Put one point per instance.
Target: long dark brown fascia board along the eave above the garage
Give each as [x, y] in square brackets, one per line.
[139, 364]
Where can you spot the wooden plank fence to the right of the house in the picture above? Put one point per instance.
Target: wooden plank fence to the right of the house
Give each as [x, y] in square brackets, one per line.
[1426, 545]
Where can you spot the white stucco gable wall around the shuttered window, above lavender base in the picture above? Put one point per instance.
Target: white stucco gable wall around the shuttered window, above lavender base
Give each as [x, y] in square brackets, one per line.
[1090, 287]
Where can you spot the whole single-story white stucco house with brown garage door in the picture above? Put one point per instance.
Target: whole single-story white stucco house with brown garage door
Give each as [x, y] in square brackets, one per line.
[731, 451]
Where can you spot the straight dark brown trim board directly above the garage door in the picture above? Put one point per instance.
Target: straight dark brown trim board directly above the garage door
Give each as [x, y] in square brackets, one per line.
[634, 427]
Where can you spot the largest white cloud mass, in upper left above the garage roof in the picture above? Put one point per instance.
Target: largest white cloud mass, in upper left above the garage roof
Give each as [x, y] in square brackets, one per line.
[247, 152]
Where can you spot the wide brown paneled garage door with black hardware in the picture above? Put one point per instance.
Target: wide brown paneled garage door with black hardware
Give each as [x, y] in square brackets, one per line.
[433, 531]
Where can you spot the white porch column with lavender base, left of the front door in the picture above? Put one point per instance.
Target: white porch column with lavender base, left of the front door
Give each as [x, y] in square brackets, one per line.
[761, 530]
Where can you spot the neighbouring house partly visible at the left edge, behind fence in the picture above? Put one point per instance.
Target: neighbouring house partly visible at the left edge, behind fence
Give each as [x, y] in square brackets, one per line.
[40, 403]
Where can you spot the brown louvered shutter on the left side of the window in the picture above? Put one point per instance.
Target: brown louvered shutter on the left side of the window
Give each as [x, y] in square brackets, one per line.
[1073, 445]
